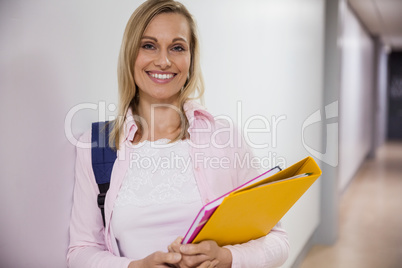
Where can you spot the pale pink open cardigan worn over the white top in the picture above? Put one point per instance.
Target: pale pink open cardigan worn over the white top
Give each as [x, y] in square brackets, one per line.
[92, 245]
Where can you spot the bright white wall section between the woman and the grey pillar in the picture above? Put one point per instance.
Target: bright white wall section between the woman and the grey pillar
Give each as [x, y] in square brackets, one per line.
[269, 56]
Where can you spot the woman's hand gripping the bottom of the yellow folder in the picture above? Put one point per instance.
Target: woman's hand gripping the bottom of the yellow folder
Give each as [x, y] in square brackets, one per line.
[205, 254]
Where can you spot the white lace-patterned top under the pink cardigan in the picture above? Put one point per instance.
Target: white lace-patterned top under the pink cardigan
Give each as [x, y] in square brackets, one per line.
[158, 199]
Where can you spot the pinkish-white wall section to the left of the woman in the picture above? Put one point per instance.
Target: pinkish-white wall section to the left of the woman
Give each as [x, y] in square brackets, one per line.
[53, 56]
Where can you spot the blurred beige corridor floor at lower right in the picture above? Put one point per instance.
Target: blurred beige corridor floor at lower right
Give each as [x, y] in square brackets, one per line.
[370, 233]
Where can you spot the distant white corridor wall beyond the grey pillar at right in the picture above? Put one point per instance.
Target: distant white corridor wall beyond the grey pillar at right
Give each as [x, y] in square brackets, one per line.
[356, 95]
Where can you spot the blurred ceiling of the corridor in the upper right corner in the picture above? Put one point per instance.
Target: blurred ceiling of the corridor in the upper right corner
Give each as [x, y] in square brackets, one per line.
[382, 18]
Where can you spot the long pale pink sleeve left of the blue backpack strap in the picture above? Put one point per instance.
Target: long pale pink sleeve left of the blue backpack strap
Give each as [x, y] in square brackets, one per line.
[87, 243]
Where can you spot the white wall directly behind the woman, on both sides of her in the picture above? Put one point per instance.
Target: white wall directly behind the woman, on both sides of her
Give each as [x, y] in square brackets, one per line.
[58, 54]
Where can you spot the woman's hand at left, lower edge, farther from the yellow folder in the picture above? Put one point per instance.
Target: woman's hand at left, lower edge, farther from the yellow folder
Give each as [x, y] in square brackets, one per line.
[158, 260]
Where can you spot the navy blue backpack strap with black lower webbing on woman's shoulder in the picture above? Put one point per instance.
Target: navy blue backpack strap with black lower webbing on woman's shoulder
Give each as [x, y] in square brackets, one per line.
[103, 158]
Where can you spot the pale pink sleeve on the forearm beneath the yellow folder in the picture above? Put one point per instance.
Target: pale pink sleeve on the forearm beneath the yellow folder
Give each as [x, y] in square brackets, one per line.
[269, 251]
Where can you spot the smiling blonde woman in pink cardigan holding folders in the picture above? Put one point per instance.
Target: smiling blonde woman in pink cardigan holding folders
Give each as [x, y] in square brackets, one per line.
[148, 207]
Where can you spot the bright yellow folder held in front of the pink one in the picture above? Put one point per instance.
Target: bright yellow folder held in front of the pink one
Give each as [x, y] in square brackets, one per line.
[251, 212]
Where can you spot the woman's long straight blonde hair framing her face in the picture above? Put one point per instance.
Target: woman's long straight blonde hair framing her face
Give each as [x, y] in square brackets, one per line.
[128, 91]
